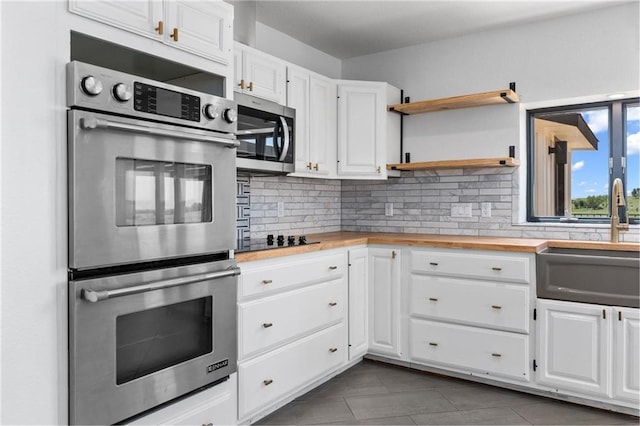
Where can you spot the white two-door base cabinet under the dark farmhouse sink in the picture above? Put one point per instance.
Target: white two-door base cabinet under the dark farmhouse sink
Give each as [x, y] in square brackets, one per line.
[590, 350]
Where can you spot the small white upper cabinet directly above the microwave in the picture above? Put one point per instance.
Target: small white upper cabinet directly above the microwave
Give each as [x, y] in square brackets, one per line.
[259, 74]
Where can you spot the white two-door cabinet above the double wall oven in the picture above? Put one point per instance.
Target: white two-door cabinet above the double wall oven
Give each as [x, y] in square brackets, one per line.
[204, 27]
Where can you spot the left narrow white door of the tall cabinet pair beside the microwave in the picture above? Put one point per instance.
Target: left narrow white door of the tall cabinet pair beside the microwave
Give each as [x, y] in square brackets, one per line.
[298, 97]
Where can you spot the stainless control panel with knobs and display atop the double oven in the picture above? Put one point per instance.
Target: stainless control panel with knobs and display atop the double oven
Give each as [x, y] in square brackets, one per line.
[114, 92]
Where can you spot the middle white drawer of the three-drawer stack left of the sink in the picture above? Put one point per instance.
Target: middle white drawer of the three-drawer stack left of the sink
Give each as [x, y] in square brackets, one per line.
[485, 303]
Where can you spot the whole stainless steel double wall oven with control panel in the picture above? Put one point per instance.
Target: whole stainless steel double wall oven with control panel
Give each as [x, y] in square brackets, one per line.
[152, 285]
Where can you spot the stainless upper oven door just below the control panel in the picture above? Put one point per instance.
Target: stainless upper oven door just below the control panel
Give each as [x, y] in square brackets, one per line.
[141, 191]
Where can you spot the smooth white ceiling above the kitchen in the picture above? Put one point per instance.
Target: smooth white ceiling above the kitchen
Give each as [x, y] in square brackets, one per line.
[347, 28]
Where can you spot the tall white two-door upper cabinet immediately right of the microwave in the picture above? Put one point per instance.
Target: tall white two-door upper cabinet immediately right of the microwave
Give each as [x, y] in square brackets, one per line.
[314, 99]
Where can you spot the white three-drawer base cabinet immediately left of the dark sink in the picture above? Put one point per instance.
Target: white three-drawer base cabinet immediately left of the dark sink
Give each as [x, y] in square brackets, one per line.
[473, 318]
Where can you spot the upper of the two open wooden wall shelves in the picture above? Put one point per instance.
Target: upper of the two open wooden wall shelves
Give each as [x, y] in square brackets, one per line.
[506, 96]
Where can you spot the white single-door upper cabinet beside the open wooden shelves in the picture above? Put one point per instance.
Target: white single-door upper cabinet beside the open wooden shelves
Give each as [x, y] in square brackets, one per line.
[368, 135]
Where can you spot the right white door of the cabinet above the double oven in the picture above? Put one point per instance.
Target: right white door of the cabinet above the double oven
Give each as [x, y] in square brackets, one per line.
[203, 27]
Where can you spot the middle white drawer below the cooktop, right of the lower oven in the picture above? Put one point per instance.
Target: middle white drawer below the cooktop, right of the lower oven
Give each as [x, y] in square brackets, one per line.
[271, 320]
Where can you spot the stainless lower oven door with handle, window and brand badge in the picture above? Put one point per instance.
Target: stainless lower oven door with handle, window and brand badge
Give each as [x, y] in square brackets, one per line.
[139, 340]
